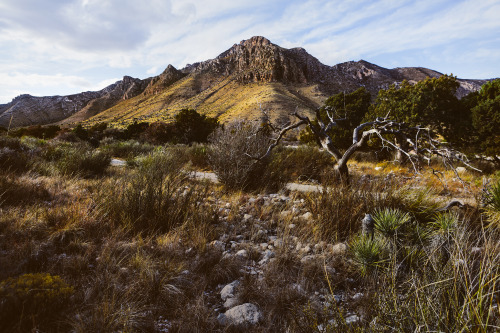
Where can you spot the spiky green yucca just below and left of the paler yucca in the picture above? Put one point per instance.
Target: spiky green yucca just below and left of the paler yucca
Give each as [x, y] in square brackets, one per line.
[369, 254]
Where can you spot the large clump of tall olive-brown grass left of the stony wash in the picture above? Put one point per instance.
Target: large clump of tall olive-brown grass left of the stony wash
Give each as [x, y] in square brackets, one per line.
[157, 196]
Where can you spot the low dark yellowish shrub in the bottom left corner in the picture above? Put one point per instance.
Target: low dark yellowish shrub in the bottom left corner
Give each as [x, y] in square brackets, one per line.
[31, 300]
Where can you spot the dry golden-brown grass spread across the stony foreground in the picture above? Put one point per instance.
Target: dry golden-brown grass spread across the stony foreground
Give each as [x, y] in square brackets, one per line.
[135, 245]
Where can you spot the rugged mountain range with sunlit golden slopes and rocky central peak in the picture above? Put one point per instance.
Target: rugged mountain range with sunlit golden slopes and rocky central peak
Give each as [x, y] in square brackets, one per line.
[250, 75]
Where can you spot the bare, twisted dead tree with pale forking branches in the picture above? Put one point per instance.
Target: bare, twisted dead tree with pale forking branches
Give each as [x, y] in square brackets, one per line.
[416, 144]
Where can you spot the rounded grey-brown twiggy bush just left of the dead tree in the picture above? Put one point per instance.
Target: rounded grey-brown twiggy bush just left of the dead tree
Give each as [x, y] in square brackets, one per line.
[232, 158]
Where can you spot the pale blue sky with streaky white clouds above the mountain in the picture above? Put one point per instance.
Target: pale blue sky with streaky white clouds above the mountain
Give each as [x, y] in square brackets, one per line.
[61, 47]
